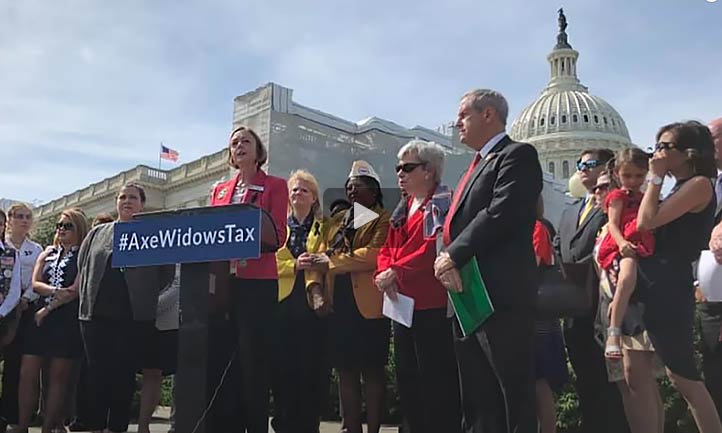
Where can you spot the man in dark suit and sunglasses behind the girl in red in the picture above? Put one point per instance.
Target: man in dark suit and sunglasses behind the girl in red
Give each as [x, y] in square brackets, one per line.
[599, 400]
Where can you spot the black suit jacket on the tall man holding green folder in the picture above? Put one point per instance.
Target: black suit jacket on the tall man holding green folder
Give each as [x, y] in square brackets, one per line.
[494, 221]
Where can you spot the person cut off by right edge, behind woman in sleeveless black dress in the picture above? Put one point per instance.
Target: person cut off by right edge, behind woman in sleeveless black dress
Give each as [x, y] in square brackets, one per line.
[710, 313]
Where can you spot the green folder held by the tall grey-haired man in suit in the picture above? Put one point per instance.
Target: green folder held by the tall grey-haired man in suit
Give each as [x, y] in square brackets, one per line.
[473, 305]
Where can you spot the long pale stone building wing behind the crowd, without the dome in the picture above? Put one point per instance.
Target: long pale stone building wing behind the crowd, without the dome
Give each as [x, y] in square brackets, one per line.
[297, 136]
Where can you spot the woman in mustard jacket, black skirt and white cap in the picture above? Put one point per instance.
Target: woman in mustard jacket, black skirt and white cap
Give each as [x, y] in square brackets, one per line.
[358, 332]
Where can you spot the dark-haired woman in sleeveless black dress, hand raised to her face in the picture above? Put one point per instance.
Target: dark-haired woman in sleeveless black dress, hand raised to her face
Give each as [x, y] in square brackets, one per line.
[681, 223]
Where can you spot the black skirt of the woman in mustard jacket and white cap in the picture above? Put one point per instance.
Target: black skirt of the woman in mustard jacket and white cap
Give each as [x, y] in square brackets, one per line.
[355, 342]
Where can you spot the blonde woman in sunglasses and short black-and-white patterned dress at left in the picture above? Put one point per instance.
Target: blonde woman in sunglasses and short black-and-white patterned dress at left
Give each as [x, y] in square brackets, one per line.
[55, 338]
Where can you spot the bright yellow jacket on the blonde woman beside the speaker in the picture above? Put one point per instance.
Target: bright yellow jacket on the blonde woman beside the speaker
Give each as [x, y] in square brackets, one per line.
[287, 264]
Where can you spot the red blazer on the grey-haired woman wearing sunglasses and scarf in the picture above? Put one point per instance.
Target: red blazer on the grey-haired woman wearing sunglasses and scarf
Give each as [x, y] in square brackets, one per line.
[407, 252]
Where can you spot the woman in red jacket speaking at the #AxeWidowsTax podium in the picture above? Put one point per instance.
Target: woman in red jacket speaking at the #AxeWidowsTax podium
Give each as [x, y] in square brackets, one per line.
[253, 283]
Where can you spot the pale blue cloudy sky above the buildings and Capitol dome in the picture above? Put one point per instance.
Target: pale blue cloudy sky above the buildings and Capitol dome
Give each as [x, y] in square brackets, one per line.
[90, 88]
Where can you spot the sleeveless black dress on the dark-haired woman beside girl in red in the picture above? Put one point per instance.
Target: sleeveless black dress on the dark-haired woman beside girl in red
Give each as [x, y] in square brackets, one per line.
[665, 285]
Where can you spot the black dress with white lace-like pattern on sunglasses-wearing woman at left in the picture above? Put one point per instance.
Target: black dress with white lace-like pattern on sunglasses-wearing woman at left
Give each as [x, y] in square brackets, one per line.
[59, 334]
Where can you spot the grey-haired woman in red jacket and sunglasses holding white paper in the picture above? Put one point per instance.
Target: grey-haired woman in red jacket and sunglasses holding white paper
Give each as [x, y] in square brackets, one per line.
[425, 363]
